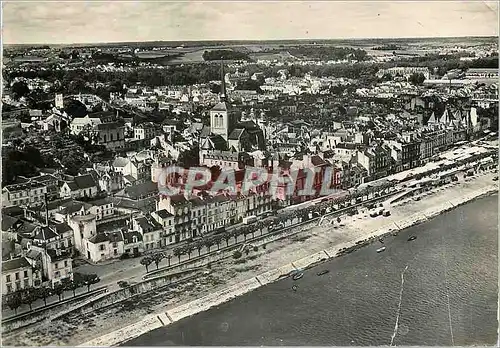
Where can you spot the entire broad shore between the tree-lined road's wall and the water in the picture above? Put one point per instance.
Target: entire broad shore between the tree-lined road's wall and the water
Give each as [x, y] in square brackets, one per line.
[231, 278]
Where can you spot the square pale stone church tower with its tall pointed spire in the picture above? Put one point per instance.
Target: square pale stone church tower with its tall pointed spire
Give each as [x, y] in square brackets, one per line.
[223, 119]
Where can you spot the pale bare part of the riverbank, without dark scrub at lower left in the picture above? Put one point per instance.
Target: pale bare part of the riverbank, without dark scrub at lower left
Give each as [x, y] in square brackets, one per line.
[300, 254]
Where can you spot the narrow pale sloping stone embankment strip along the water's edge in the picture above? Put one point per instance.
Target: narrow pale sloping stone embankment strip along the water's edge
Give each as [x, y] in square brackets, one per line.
[132, 331]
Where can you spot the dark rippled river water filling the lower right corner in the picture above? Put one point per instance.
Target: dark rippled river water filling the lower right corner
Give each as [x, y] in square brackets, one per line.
[448, 297]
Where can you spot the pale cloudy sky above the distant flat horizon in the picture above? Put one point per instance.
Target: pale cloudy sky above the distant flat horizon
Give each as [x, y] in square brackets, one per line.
[57, 22]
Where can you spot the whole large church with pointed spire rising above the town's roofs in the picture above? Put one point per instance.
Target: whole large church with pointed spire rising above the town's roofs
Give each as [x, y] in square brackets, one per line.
[227, 141]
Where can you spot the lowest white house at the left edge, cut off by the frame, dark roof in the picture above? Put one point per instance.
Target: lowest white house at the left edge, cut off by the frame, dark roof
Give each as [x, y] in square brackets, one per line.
[18, 274]
